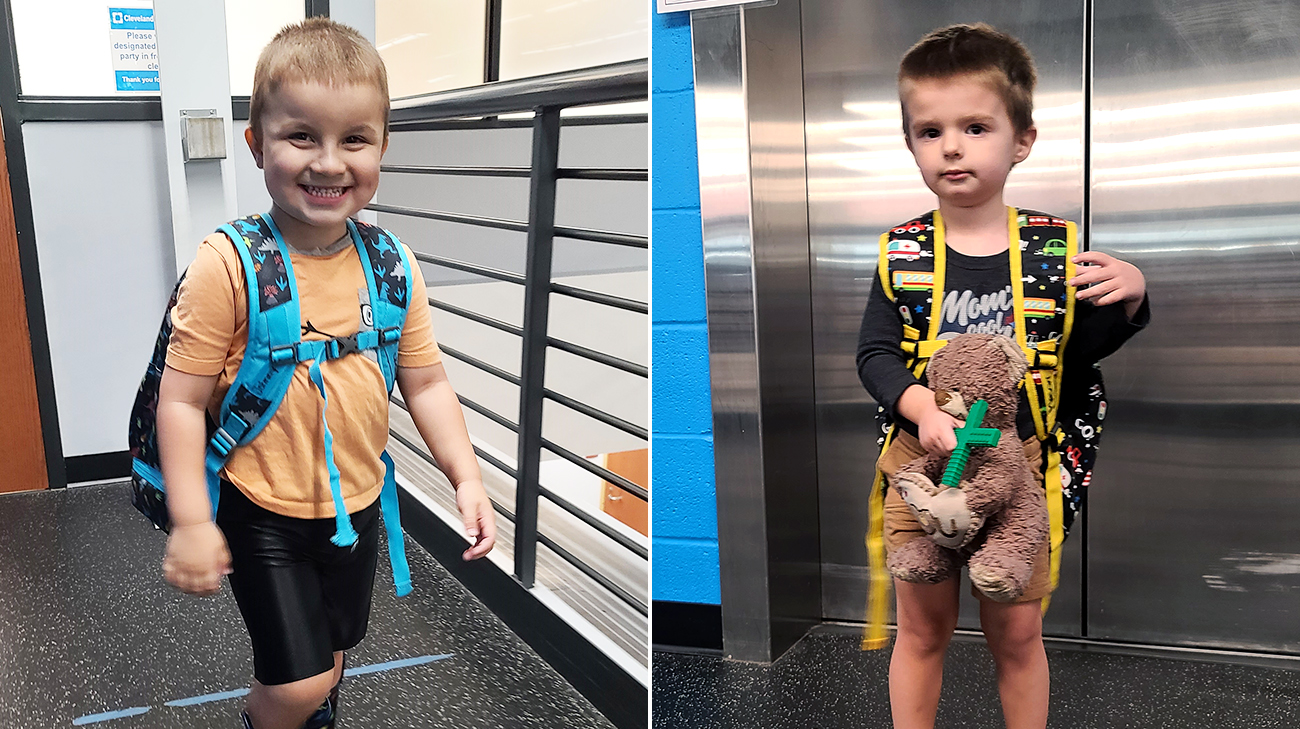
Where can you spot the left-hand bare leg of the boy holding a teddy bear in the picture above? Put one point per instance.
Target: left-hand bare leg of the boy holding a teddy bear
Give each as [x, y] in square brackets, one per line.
[928, 617]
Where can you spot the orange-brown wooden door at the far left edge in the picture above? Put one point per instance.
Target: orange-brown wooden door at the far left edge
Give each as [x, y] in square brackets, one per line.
[23, 453]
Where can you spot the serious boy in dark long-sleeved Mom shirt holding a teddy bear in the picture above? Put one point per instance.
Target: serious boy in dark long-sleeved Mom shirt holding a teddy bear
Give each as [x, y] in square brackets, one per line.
[968, 101]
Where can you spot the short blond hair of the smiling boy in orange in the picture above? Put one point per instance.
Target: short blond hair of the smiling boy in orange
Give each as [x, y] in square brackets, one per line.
[317, 50]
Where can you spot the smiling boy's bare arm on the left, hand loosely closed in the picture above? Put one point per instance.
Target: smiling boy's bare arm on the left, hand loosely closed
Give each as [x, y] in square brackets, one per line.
[197, 554]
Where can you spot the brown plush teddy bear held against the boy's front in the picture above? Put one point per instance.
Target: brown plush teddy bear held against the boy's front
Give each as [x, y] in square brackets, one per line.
[998, 522]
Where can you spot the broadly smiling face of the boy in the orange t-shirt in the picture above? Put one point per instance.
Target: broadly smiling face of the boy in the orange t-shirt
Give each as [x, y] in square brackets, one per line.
[320, 150]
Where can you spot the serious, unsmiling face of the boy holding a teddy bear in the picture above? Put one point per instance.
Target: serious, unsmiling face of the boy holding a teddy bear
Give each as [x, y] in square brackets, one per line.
[963, 138]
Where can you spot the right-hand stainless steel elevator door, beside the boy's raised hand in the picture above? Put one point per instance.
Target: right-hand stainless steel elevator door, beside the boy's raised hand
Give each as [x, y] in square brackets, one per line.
[1193, 536]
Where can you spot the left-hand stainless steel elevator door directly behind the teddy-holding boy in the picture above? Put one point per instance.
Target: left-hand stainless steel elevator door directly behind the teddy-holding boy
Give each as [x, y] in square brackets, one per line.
[863, 181]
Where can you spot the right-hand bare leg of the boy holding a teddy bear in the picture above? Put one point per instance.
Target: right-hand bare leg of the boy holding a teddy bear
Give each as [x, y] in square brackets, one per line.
[1015, 633]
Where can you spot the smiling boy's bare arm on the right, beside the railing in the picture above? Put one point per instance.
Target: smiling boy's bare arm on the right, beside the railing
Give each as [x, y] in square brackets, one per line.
[436, 411]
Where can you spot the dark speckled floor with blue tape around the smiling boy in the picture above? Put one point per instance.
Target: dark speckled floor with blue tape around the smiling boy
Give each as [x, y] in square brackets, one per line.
[88, 627]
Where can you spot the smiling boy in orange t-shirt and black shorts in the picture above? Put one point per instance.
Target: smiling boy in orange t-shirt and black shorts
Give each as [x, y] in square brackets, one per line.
[318, 129]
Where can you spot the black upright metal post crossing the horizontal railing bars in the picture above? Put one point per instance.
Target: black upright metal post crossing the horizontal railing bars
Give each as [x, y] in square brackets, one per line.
[538, 290]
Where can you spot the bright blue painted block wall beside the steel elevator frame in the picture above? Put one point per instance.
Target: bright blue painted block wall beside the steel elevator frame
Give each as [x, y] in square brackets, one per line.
[684, 506]
